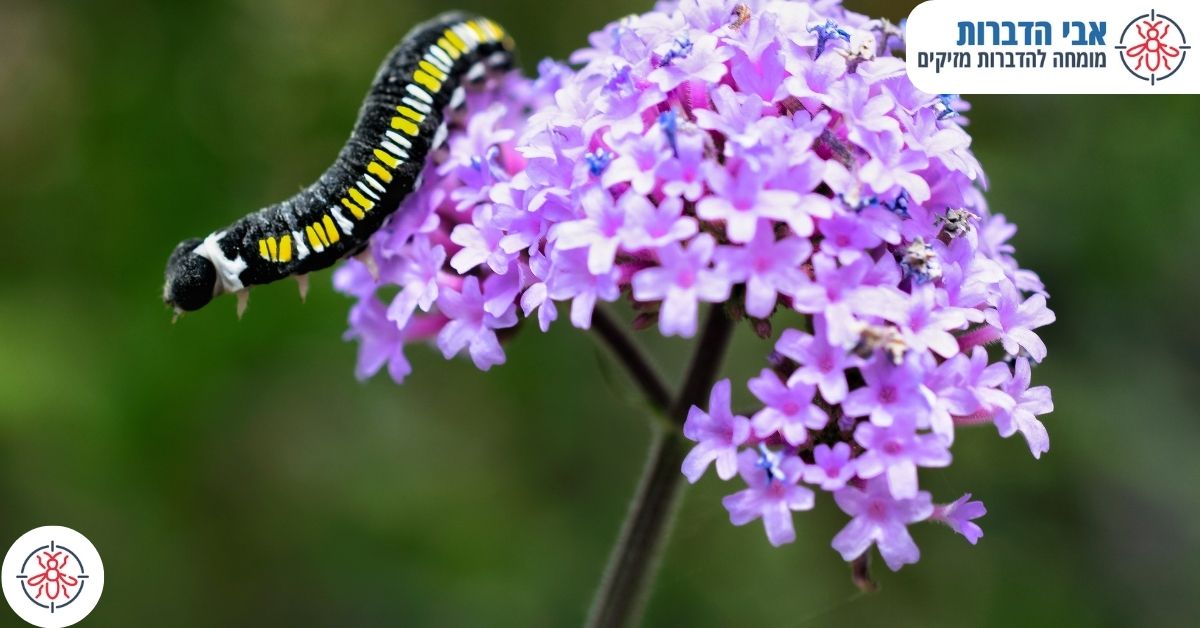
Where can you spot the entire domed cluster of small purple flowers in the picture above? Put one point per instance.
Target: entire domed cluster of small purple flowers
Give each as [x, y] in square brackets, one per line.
[771, 158]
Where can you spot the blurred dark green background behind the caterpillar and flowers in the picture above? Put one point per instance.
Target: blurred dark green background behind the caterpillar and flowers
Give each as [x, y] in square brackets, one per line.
[236, 474]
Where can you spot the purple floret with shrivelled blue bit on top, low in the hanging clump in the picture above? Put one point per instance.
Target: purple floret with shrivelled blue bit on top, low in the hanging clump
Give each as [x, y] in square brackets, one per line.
[772, 494]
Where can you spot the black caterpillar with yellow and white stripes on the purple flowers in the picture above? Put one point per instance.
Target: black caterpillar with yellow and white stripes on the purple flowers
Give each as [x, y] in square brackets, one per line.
[401, 122]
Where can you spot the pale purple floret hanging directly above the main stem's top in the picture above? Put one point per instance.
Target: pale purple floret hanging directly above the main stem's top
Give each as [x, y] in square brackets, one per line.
[681, 283]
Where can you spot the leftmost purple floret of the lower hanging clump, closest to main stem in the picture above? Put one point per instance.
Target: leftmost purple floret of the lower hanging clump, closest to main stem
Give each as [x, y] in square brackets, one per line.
[718, 435]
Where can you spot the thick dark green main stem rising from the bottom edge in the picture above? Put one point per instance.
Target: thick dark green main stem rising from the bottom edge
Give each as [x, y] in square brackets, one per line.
[635, 559]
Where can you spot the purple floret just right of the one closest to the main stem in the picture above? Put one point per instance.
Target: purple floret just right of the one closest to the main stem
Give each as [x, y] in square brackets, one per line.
[789, 409]
